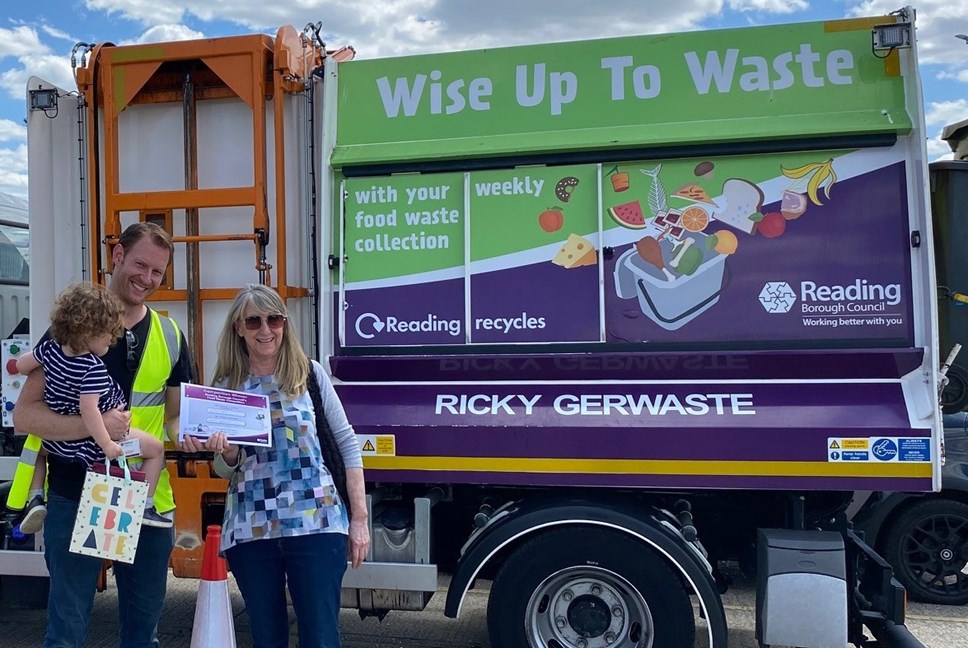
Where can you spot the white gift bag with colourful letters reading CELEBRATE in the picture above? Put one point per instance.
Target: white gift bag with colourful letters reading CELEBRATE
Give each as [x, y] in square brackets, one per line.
[109, 515]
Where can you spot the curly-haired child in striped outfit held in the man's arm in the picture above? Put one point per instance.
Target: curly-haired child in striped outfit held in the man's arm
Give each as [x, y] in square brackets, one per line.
[85, 322]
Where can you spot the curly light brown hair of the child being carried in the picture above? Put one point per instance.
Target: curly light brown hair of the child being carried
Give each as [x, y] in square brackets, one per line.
[84, 311]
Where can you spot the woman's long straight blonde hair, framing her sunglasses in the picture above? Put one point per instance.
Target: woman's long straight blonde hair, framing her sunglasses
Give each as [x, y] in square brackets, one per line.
[232, 365]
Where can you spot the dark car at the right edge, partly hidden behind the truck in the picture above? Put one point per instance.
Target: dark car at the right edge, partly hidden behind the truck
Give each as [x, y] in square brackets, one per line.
[925, 537]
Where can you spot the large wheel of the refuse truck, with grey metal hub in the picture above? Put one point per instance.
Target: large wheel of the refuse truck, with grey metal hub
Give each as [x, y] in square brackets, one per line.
[588, 588]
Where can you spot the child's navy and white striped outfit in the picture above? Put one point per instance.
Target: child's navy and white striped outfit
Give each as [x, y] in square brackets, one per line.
[67, 378]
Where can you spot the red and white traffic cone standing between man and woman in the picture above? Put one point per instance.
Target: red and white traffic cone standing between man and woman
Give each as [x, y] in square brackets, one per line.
[213, 627]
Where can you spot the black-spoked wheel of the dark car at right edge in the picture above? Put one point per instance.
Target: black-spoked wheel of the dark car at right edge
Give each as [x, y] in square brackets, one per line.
[928, 547]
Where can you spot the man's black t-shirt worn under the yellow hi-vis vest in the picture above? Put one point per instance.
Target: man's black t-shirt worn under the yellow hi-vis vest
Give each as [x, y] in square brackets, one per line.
[66, 478]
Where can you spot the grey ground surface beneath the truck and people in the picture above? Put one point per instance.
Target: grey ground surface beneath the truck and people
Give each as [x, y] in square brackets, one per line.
[936, 626]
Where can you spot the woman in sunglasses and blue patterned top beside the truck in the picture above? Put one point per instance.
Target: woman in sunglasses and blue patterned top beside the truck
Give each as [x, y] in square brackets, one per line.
[284, 520]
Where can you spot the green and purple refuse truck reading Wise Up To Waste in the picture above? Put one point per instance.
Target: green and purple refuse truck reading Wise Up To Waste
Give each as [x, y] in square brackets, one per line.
[604, 314]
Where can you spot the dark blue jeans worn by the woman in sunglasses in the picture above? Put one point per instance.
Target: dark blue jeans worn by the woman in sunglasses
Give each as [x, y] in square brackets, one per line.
[312, 566]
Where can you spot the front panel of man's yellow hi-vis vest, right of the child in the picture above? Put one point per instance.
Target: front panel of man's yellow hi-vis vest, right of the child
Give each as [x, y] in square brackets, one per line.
[150, 389]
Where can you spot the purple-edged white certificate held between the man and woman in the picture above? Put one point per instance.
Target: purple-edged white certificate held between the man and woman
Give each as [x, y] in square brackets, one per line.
[243, 418]
